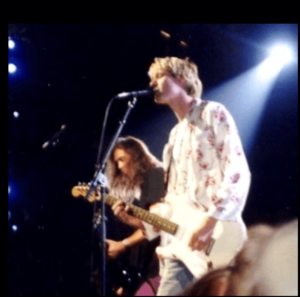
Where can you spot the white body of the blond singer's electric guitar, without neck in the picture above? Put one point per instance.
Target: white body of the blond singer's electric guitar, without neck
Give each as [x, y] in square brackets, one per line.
[228, 238]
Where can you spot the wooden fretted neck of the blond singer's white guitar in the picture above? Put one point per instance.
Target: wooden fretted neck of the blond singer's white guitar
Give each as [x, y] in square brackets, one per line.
[147, 217]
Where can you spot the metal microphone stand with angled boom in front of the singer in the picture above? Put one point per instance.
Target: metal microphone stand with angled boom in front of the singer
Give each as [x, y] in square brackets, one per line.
[100, 179]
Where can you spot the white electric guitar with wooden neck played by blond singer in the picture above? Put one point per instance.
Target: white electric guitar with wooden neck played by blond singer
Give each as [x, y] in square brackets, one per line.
[184, 219]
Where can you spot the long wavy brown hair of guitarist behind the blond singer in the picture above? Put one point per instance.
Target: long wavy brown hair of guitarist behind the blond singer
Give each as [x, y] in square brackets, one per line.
[141, 161]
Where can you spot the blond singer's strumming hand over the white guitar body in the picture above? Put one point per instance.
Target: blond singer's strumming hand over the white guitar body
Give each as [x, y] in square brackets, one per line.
[202, 236]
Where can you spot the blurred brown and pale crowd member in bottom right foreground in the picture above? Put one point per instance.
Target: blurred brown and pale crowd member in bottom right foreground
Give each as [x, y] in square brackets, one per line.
[266, 266]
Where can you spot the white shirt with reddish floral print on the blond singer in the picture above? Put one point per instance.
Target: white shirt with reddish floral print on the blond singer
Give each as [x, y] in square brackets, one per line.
[206, 162]
